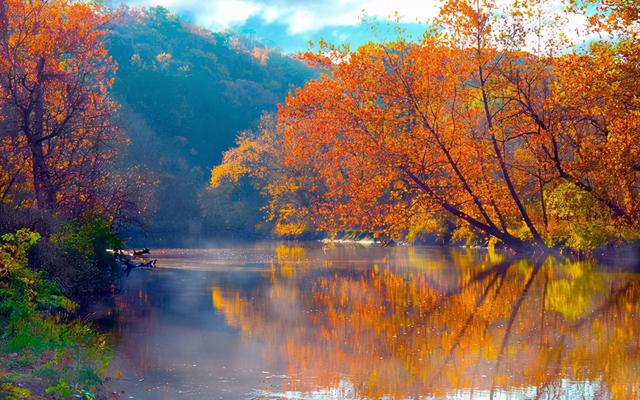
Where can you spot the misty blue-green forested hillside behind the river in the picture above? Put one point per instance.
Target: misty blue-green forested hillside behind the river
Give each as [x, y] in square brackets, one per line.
[185, 94]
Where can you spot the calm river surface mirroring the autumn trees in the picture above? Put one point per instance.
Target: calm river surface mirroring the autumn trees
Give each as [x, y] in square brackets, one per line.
[283, 321]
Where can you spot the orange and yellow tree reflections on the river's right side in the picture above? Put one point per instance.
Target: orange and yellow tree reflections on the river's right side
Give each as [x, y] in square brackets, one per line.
[542, 329]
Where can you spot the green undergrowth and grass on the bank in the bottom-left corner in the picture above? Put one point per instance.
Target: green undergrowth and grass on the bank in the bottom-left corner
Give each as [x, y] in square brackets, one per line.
[39, 345]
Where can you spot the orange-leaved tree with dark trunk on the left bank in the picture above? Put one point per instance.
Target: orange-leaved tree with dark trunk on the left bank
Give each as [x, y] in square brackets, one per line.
[57, 139]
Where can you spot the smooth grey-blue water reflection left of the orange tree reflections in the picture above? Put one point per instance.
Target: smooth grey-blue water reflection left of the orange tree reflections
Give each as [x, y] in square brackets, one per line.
[171, 345]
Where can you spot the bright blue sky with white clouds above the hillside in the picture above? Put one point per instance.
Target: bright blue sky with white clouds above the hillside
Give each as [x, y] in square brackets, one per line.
[290, 24]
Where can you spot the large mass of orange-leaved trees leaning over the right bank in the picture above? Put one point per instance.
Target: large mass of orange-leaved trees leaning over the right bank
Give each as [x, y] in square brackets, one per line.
[495, 123]
